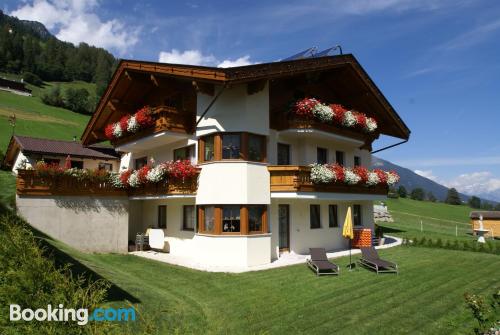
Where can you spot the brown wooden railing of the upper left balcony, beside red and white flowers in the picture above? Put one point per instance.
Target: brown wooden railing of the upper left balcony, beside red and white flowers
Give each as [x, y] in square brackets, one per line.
[166, 119]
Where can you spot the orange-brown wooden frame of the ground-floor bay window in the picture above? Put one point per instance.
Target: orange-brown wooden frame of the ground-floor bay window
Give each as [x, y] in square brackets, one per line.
[244, 224]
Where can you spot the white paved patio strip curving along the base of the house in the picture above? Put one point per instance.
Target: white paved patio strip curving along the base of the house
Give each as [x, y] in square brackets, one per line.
[285, 259]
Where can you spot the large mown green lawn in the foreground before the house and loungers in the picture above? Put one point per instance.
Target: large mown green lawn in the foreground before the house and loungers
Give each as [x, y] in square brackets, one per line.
[425, 298]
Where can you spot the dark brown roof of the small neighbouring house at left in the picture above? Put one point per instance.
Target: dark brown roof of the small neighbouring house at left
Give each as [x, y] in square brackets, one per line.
[57, 148]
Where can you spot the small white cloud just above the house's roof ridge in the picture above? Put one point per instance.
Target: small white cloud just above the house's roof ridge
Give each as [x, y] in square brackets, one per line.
[196, 57]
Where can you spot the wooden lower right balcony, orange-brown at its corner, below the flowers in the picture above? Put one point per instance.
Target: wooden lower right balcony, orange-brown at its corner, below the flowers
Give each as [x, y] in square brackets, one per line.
[294, 178]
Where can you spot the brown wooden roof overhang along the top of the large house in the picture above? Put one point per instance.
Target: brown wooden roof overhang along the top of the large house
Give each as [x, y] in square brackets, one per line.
[127, 69]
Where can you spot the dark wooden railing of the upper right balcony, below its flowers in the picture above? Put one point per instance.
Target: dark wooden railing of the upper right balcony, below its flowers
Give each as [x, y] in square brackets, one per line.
[284, 121]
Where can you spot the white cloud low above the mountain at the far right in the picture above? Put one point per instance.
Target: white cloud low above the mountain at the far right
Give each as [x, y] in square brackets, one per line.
[476, 183]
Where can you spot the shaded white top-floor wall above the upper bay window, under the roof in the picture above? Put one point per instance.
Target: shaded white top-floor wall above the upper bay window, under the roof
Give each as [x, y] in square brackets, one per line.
[235, 110]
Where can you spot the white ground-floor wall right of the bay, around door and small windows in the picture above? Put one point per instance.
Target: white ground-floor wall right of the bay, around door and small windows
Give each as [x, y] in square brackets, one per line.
[302, 237]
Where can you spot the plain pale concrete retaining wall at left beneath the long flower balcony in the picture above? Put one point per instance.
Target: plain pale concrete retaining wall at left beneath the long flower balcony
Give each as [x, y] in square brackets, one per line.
[89, 224]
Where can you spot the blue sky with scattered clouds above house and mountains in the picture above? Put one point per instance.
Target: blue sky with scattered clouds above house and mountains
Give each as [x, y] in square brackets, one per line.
[436, 61]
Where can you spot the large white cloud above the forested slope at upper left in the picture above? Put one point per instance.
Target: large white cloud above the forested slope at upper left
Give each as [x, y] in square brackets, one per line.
[75, 21]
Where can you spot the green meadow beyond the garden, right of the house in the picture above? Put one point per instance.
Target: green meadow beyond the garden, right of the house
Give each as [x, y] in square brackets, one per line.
[438, 220]
